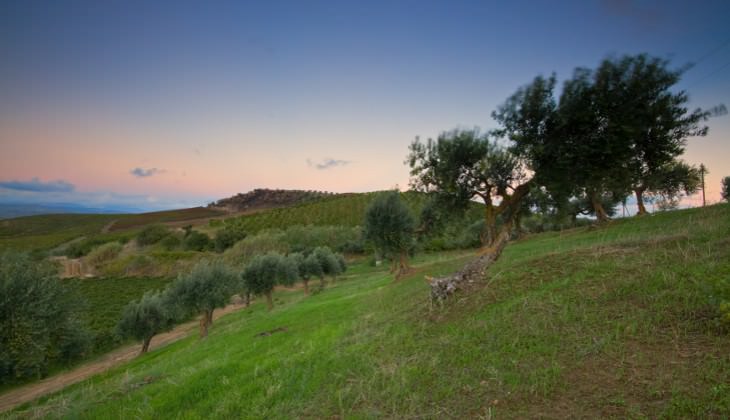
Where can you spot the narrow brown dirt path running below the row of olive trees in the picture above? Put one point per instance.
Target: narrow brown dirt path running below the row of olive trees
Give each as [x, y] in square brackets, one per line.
[15, 397]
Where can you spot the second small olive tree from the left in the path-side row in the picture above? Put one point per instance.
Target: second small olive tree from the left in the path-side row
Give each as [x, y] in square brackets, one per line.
[207, 287]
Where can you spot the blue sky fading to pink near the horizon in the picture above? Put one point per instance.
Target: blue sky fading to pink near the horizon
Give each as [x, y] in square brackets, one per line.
[174, 104]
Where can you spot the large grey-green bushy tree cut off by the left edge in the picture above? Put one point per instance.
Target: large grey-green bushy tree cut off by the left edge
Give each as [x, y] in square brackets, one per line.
[39, 319]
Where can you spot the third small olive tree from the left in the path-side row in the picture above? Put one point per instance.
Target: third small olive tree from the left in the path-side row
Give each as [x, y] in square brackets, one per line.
[264, 272]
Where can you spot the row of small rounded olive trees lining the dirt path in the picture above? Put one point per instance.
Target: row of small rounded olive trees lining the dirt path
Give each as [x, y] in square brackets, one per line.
[210, 285]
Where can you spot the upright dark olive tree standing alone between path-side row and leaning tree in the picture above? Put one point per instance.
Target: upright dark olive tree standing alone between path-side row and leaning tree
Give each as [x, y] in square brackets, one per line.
[390, 227]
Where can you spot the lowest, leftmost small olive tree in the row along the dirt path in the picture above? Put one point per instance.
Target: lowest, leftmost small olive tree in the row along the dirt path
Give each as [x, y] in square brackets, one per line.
[143, 319]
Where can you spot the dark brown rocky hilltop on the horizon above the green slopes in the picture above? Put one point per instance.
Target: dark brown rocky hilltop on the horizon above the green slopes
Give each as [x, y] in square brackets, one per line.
[263, 199]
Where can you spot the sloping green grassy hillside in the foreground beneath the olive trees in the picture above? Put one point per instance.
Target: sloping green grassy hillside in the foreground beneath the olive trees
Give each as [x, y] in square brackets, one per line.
[617, 321]
